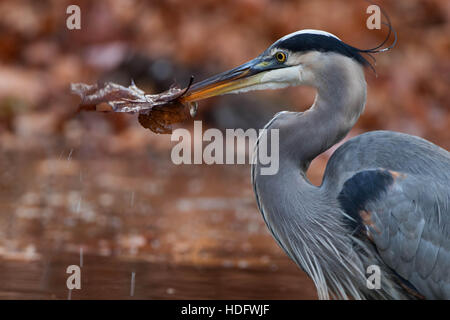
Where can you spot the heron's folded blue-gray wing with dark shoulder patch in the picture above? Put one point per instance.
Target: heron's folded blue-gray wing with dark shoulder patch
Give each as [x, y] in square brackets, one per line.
[407, 217]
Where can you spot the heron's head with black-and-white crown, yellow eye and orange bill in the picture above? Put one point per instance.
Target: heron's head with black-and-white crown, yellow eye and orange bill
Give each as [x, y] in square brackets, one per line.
[295, 59]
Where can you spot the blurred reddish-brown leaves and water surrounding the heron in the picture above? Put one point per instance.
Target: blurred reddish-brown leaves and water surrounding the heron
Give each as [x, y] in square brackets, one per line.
[103, 184]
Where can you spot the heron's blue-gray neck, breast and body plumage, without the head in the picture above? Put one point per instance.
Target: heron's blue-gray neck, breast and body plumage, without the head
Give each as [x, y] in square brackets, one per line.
[311, 225]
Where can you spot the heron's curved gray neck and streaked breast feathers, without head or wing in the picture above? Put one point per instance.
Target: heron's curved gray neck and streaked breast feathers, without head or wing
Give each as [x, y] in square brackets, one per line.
[305, 221]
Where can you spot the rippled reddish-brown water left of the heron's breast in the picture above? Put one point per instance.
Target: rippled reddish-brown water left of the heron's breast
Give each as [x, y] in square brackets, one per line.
[186, 232]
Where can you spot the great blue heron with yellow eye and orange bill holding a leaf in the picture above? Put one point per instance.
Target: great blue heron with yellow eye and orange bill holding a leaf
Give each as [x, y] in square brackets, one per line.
[385, 196]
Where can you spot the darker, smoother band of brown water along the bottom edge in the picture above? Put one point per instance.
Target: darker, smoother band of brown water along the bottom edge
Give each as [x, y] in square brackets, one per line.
[110, 278]
